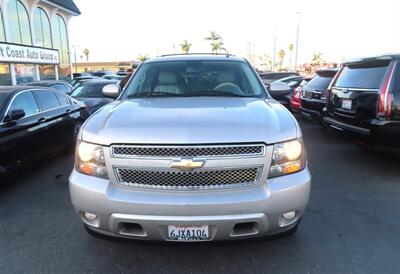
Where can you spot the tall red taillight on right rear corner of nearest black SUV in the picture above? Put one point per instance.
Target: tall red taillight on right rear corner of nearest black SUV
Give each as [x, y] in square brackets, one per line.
[385, 100]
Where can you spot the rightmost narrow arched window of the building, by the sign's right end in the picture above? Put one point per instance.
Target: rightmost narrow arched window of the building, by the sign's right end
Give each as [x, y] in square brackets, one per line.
[61, 39]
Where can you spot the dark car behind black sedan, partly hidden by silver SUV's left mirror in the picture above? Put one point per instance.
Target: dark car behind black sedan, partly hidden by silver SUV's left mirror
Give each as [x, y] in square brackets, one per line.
[90, 92]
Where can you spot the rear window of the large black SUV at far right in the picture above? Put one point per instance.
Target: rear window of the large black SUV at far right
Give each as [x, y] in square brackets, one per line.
[367, 76]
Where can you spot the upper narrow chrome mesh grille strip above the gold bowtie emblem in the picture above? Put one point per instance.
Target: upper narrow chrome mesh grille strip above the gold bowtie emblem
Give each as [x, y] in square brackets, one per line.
[220, 151]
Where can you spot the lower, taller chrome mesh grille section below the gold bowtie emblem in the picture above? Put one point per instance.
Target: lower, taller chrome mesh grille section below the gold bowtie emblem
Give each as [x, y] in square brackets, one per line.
[187, 180]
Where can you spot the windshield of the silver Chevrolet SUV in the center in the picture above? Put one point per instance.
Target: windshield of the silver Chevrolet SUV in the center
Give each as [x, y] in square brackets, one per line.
[194, 78]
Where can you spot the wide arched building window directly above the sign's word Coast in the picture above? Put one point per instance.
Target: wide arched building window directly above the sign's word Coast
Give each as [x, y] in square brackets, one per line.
[18, 23]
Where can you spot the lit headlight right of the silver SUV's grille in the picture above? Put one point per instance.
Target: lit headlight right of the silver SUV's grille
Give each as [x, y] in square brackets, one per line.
[287, 157]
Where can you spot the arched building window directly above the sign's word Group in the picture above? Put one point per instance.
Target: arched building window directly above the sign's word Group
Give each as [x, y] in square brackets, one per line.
[42, 29]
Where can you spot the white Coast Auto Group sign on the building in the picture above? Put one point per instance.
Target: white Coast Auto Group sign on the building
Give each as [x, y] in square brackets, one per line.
[11, 53]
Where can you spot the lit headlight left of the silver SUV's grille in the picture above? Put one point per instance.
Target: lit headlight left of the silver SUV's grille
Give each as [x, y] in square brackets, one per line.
[90, 160]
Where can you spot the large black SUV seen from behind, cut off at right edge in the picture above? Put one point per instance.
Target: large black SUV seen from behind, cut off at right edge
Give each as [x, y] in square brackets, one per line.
[364, 100]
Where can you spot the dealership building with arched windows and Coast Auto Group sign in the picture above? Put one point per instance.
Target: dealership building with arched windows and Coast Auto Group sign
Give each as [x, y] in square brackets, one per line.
[34, 41]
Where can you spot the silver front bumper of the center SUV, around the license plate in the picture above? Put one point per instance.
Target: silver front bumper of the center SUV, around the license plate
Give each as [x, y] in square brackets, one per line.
[144, 214]
